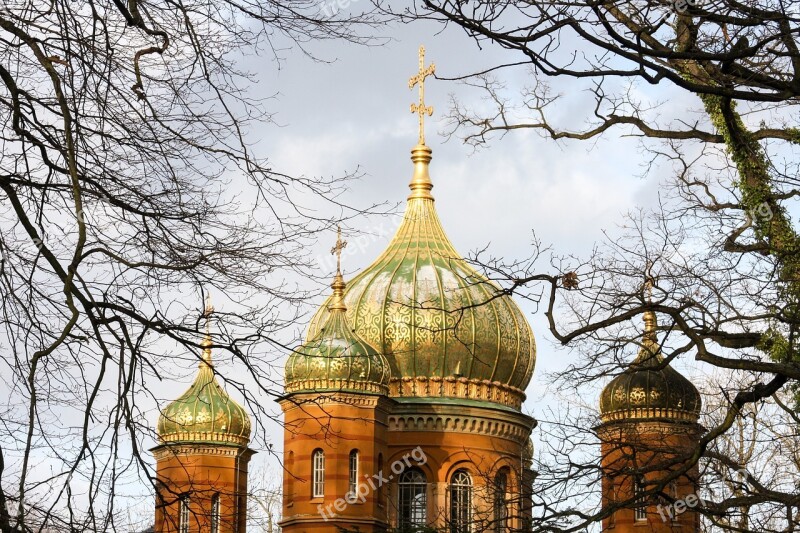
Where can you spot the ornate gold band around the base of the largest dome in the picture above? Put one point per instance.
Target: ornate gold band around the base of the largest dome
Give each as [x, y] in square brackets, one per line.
[452, 387]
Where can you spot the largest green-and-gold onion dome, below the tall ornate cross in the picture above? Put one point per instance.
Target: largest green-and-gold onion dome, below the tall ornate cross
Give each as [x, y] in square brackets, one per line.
[446, 330]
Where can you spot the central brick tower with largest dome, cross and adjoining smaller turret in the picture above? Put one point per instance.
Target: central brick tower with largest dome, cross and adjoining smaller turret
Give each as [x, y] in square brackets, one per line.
[444, 423]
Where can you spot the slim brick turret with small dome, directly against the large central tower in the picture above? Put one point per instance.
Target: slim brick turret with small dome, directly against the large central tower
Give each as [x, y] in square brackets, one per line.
[335, 411]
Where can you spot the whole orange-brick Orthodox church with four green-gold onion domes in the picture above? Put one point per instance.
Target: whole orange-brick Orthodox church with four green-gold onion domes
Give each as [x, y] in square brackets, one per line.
[403, 409]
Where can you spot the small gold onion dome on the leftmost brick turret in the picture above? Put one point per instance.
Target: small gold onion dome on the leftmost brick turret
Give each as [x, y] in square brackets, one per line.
[204, 413]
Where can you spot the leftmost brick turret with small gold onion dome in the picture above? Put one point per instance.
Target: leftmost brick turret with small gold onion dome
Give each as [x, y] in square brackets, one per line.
[201, 459]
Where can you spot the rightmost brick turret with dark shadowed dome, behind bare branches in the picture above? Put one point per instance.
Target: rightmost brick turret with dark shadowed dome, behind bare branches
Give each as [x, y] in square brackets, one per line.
[649, 428]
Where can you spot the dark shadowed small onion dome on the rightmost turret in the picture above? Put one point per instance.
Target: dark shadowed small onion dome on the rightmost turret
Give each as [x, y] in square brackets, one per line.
[650, 389]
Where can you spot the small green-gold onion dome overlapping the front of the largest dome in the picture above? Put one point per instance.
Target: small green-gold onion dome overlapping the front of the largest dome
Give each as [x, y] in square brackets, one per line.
[336, 358]
